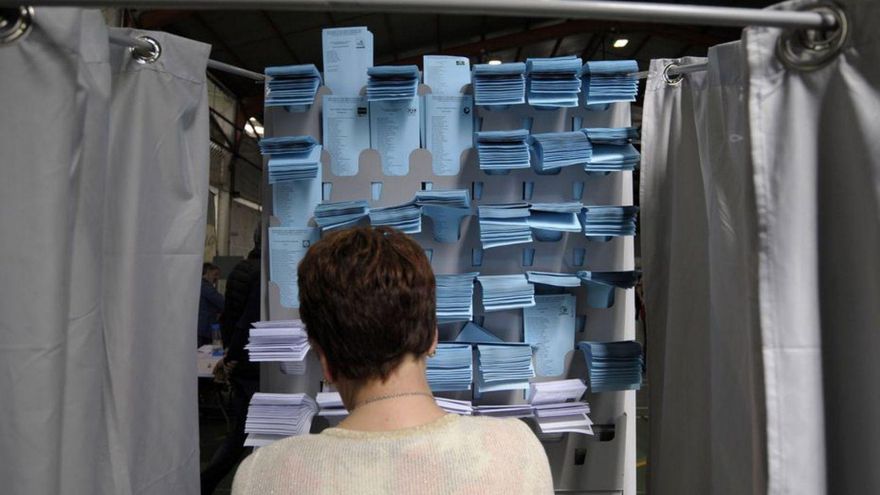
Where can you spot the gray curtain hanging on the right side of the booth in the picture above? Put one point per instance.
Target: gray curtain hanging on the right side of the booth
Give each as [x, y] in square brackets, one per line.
[761, 228]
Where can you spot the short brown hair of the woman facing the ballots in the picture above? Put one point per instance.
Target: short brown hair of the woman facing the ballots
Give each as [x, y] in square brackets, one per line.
[367, 298]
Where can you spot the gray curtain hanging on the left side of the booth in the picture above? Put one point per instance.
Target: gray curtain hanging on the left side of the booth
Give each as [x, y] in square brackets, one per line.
[105, 165]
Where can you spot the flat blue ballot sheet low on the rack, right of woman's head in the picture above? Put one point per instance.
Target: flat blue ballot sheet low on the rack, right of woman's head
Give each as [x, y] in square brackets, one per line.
[549, 327]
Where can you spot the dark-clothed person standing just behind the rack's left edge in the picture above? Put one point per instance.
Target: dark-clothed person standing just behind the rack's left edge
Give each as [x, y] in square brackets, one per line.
[243, 376]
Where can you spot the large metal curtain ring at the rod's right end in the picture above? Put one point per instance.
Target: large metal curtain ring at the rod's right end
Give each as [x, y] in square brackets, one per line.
[811, 49]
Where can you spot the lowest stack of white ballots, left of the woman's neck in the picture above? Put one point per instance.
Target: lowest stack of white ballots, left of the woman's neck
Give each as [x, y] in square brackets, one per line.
[272, 417]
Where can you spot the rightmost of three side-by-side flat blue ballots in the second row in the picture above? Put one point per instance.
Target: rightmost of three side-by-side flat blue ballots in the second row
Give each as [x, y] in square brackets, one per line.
[449, 128]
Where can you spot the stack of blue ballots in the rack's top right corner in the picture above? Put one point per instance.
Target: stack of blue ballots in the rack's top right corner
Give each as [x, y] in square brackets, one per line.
[608, 81]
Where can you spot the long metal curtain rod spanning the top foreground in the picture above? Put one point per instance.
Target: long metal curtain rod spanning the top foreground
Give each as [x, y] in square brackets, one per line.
[569, 9]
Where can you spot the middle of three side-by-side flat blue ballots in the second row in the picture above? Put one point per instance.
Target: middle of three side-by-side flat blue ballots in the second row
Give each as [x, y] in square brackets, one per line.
[394, 133]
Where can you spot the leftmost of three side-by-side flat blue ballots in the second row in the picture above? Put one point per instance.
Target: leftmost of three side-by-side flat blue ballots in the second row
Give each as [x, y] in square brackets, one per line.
[346, 128]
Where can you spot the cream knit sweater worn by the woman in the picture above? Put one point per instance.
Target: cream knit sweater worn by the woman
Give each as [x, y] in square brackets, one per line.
[451, 455]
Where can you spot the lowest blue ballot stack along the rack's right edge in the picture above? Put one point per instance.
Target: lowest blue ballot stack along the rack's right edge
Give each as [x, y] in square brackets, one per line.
[613, 365]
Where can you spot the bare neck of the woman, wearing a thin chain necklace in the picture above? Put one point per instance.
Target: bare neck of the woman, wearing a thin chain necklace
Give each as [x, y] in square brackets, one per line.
[404, 400]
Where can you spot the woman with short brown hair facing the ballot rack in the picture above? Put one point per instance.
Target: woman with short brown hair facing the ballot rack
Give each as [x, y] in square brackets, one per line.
[367, 298]
